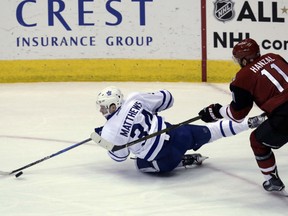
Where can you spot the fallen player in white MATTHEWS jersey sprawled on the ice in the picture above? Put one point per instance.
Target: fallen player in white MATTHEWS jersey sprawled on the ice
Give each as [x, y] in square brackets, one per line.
[137, 117]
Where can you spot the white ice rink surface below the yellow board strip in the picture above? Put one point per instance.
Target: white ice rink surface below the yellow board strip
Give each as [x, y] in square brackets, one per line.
[39, 119]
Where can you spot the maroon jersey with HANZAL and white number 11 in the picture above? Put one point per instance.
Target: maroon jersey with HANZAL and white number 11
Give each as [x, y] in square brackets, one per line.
[265, 82]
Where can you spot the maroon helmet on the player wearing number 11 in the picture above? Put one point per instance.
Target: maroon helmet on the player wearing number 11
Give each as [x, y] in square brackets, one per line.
[246, 51]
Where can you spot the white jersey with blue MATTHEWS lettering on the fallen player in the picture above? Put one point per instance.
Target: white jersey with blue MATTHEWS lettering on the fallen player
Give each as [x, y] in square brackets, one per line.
[136, 118]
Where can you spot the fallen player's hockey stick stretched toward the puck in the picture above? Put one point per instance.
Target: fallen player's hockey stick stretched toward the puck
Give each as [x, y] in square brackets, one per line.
[45, 158]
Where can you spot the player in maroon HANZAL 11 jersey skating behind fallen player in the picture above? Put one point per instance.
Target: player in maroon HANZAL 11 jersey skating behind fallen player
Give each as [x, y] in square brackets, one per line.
[262, 79]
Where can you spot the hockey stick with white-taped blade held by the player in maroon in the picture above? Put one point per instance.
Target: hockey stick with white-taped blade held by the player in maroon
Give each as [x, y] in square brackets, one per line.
[109, 146]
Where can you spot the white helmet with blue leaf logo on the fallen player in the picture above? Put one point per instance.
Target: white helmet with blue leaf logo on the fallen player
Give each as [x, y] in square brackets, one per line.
[108, 96]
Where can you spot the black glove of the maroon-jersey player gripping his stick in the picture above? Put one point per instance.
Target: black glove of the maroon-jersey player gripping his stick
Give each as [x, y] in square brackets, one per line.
[211, 113]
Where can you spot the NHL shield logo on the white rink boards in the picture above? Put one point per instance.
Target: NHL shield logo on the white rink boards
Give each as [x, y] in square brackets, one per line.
[223, 10]
